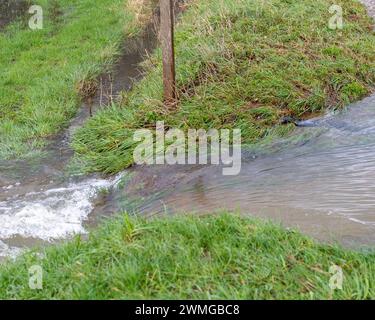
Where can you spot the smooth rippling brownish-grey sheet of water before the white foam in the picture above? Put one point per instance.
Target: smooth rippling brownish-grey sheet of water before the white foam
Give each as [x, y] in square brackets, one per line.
[321, 181]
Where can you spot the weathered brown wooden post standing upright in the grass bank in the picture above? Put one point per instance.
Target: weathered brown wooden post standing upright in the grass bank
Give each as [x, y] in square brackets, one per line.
[167, 45]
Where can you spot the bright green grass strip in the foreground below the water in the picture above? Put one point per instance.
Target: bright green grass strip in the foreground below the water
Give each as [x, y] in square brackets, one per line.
[222, 256]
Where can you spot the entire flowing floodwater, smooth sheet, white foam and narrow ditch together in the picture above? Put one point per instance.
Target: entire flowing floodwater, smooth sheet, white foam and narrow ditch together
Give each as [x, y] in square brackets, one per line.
[320, 180]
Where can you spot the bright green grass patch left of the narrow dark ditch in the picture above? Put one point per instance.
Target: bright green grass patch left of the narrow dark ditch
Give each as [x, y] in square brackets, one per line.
[43, 71]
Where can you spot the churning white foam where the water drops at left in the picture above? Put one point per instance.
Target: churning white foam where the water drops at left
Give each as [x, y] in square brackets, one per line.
[52, 214]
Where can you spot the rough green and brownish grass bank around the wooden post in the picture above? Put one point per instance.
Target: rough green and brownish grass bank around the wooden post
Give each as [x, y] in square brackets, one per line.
[242, 64]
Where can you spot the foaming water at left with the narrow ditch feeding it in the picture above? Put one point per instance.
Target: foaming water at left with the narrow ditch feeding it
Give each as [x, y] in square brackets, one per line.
[39, 201]
